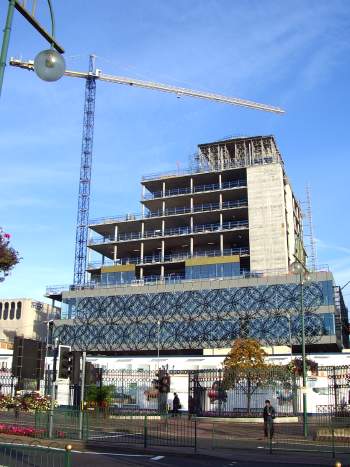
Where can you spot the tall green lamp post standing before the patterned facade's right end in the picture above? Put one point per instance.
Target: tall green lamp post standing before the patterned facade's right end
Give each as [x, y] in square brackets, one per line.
[300, 270]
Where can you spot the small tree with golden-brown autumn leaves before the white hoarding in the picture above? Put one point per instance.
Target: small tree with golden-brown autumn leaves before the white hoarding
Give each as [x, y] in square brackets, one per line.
[245, 367]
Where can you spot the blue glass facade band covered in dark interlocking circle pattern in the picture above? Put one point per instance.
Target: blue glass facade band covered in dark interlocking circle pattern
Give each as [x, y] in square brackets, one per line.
[195, 319]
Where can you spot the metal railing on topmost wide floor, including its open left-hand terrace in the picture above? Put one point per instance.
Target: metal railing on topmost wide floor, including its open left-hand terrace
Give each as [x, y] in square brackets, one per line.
[171, 211]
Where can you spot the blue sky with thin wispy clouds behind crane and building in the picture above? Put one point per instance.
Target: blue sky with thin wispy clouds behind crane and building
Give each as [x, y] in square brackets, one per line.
[292, 54]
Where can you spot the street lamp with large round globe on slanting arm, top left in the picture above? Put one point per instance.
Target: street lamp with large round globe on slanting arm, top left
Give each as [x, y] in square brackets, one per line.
[49, 64]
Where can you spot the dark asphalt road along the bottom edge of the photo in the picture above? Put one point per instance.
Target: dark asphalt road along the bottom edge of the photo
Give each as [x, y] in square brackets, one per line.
[163, 456]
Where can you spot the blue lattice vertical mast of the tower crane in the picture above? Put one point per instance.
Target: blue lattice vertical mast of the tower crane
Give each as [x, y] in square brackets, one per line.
[81, 236]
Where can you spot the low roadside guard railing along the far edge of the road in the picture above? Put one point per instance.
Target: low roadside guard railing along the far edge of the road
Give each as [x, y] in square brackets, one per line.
[109, 429]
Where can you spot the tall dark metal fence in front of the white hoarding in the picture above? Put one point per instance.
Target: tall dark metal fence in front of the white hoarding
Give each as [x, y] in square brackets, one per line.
[224, 393]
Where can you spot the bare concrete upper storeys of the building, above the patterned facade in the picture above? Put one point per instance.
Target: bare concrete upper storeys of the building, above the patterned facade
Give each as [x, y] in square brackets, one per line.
[234, 213]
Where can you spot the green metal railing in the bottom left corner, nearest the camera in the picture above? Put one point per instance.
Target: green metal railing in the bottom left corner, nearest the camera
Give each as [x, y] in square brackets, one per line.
[19, 455]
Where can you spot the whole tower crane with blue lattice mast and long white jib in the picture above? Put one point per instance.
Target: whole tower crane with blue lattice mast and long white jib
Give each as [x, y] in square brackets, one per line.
[88, 133]
